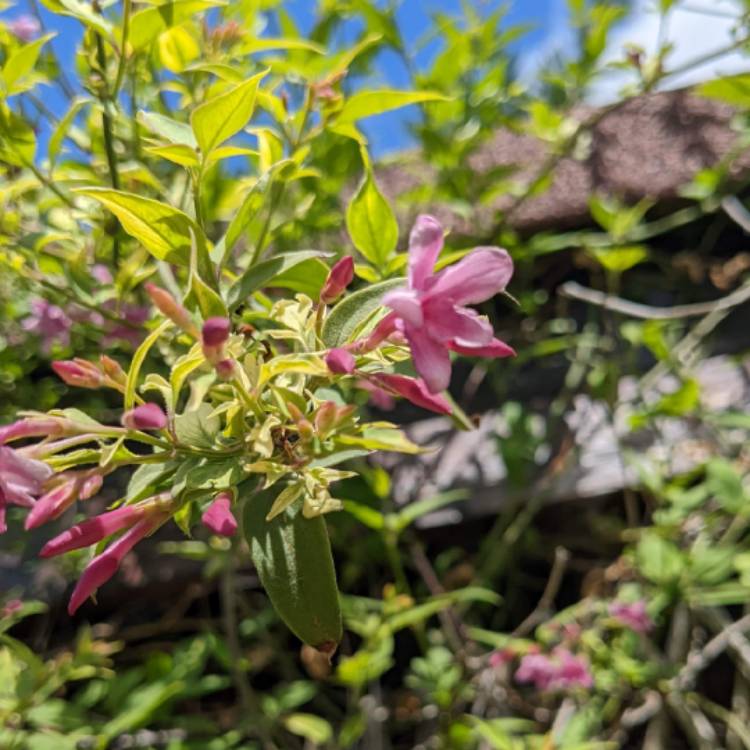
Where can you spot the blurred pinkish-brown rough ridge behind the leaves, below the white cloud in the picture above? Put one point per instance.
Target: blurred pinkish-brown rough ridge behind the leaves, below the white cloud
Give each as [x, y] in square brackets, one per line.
[647, 147]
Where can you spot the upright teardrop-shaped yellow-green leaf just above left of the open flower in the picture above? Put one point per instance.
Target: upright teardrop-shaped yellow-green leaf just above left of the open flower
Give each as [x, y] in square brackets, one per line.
[371, 223]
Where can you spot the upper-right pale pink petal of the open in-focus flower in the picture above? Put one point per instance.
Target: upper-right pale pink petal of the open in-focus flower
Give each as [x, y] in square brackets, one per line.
[481, 274]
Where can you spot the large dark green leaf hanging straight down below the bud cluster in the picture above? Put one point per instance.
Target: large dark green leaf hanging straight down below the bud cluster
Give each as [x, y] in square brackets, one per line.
[292, 555]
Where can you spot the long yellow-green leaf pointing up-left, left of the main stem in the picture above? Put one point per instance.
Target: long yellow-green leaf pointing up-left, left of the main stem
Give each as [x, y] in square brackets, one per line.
[164, 231]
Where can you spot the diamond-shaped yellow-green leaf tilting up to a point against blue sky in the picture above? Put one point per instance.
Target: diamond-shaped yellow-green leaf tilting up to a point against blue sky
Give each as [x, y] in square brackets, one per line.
[223, 116]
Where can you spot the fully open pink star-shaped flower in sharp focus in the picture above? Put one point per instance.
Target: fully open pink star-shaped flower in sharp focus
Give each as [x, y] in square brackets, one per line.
[432, 310]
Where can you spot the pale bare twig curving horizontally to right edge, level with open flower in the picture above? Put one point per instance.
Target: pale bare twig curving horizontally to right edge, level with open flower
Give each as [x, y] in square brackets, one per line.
[573, 290]
